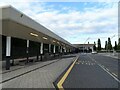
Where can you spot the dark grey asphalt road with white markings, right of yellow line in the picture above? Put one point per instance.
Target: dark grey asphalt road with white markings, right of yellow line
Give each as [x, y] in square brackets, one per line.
[93, 71]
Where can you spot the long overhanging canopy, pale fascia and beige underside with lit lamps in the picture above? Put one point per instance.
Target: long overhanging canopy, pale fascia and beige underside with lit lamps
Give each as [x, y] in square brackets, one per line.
[17, 24]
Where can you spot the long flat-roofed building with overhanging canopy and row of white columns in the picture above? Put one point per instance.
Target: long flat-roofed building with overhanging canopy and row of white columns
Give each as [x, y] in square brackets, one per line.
[22, 37]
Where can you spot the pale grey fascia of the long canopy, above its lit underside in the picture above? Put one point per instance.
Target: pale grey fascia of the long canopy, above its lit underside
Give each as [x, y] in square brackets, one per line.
[11, 14]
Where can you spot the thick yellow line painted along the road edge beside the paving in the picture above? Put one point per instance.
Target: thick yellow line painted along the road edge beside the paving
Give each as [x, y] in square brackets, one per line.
[59, 84]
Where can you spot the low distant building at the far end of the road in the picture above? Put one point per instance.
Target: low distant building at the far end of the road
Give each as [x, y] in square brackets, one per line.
[84, 47]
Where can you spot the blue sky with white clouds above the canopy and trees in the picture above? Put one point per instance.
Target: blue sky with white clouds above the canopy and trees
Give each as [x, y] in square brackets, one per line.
[74, 21]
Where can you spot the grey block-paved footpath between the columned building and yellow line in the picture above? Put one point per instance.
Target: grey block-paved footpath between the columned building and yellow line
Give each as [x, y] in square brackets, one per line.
[38, 75]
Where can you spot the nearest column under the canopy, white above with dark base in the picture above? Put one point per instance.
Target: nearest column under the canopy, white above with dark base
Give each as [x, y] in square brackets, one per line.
[8, 52]
